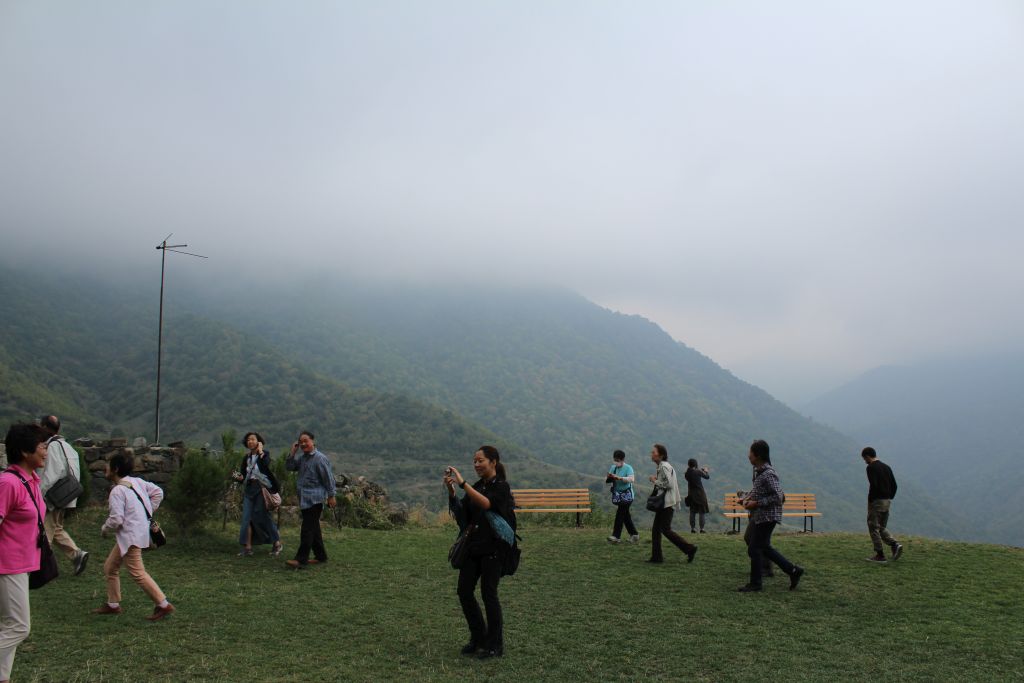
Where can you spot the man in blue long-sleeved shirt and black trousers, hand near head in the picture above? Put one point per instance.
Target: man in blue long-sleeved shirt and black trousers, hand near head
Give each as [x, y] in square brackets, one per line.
[315, 485]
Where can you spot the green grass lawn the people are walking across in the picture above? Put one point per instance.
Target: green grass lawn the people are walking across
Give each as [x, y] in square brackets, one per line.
[385, 609]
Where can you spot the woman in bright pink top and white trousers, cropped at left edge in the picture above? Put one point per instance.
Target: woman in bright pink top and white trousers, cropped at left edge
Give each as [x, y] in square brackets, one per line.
[22, 509]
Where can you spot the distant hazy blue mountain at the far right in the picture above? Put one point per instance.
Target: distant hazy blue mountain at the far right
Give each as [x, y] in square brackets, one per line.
[955, 425]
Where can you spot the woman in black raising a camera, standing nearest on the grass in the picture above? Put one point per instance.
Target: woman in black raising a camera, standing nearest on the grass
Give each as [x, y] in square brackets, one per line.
[491, 494]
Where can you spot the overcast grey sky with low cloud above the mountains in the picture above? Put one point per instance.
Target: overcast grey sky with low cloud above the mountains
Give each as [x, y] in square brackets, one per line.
[802, 191]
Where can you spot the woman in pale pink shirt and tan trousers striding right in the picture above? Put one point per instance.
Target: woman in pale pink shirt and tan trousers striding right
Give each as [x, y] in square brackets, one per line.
[131, 500]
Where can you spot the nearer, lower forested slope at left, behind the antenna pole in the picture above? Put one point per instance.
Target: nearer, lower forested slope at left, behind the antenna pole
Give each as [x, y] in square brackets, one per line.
[86, 356]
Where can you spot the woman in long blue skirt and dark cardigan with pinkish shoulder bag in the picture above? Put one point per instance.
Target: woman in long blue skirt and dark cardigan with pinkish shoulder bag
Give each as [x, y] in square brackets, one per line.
[255, 476]
